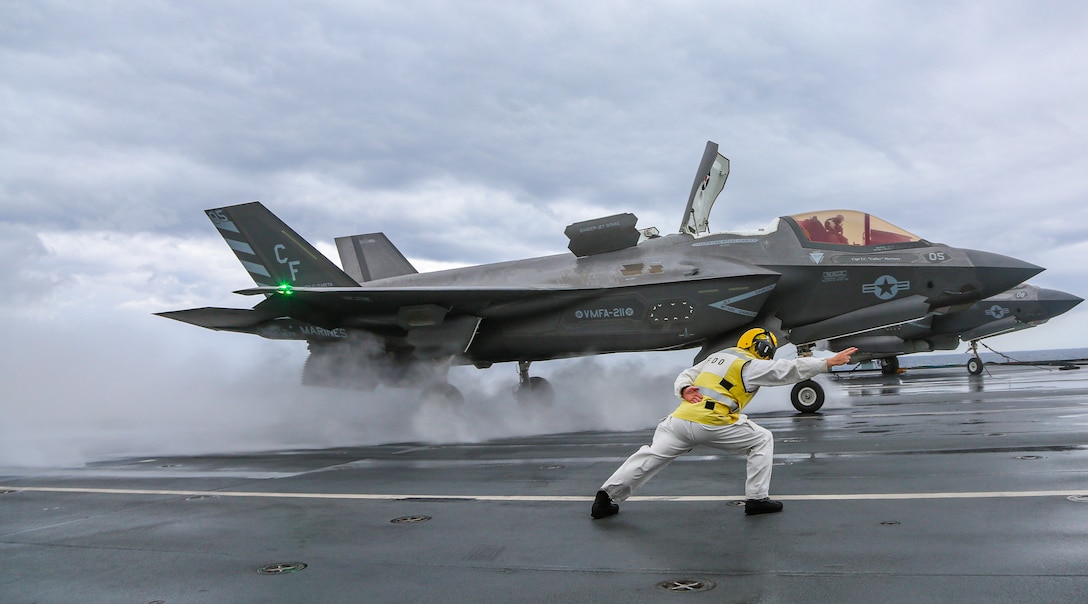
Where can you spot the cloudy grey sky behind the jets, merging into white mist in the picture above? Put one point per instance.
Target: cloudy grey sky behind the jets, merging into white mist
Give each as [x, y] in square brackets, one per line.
[469, 133]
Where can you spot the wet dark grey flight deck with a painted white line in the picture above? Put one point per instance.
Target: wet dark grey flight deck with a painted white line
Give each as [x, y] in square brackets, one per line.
[931, 486]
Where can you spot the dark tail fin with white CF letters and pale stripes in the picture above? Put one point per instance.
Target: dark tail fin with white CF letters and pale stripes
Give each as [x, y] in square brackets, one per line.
[274, 253]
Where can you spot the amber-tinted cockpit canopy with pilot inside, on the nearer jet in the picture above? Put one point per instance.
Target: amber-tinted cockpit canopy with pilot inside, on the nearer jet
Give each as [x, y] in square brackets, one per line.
[849, 228]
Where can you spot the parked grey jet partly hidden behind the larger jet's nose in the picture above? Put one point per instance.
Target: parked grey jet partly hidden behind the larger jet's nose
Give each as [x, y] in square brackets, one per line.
[1020, 309]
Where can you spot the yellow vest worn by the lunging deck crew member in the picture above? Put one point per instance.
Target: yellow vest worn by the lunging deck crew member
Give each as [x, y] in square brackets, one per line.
[724, 395]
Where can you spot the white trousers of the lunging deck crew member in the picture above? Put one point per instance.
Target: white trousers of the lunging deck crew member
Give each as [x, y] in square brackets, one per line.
[676, 437]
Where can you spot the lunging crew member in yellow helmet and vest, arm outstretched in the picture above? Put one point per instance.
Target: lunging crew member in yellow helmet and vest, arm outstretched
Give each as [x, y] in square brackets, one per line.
[714, 393]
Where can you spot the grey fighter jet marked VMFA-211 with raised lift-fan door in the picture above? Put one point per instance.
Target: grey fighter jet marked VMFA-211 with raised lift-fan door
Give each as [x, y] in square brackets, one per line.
[808, 277]
